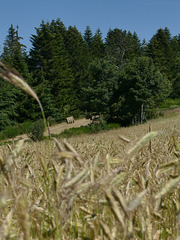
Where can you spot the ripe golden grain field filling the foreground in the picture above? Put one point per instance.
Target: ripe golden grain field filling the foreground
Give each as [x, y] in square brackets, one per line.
[119, 184]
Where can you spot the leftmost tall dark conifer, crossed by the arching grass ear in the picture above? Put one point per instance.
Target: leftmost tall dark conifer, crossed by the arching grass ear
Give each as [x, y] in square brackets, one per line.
[14, 55]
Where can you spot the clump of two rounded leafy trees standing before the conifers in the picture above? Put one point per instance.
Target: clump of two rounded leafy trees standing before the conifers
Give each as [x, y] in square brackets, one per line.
[121, 93]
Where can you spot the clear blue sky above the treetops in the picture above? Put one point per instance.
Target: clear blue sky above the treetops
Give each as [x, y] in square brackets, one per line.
[144, 17]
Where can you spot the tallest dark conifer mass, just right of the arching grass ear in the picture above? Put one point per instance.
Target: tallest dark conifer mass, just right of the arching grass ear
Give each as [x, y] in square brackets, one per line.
[50, 64]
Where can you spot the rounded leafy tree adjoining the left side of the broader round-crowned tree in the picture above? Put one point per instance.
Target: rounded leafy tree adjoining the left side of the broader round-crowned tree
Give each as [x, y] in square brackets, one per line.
[99, 89]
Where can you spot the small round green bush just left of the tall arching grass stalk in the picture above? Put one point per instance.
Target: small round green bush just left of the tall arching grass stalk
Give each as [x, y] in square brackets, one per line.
[36, 131]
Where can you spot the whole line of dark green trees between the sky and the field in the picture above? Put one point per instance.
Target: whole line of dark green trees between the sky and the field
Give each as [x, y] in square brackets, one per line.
[120, 77]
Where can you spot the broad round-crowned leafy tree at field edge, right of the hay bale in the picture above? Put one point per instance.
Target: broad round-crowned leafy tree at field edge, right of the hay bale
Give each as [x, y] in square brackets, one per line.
[140, 85]
